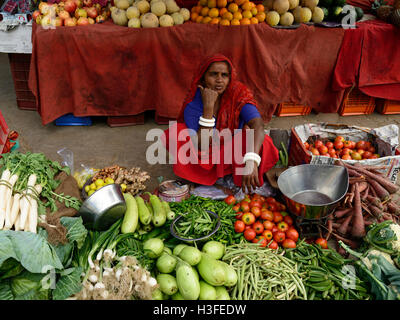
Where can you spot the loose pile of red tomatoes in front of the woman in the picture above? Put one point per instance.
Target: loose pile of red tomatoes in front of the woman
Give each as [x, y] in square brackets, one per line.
[264, 221]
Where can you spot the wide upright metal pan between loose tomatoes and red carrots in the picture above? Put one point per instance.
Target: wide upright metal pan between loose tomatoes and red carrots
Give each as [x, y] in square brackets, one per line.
[313, 191]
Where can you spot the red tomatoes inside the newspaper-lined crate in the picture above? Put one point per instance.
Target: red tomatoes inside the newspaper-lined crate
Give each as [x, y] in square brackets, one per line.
[344, 149]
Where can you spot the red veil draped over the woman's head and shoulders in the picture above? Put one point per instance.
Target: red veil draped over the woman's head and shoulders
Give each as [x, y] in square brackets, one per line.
[235, 96]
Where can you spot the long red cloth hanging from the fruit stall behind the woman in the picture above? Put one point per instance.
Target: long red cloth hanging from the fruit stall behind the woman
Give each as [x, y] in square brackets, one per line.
[107, 70]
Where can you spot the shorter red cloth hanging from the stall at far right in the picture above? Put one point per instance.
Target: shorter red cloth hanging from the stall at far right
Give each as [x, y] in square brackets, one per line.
[370, 59]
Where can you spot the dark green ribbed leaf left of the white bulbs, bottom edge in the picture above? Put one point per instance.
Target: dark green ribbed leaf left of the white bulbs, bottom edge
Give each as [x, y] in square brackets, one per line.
[68, 284]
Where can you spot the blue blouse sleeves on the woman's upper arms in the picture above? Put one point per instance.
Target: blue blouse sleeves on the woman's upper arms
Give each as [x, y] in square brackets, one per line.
[194, 110]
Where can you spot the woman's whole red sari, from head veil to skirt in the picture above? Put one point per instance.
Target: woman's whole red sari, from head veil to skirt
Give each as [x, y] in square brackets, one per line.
[206, 171]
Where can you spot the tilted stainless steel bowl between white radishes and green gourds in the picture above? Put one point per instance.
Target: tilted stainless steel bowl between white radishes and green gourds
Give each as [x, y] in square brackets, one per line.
[103, 207]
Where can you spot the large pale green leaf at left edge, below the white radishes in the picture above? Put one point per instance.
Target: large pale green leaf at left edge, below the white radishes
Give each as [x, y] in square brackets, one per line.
[21, 245]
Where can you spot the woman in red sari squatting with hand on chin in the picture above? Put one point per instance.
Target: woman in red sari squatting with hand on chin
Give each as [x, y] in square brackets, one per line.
[217, 101]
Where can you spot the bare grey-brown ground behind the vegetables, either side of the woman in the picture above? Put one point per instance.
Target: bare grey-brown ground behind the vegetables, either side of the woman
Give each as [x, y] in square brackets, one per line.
[100, 145]
